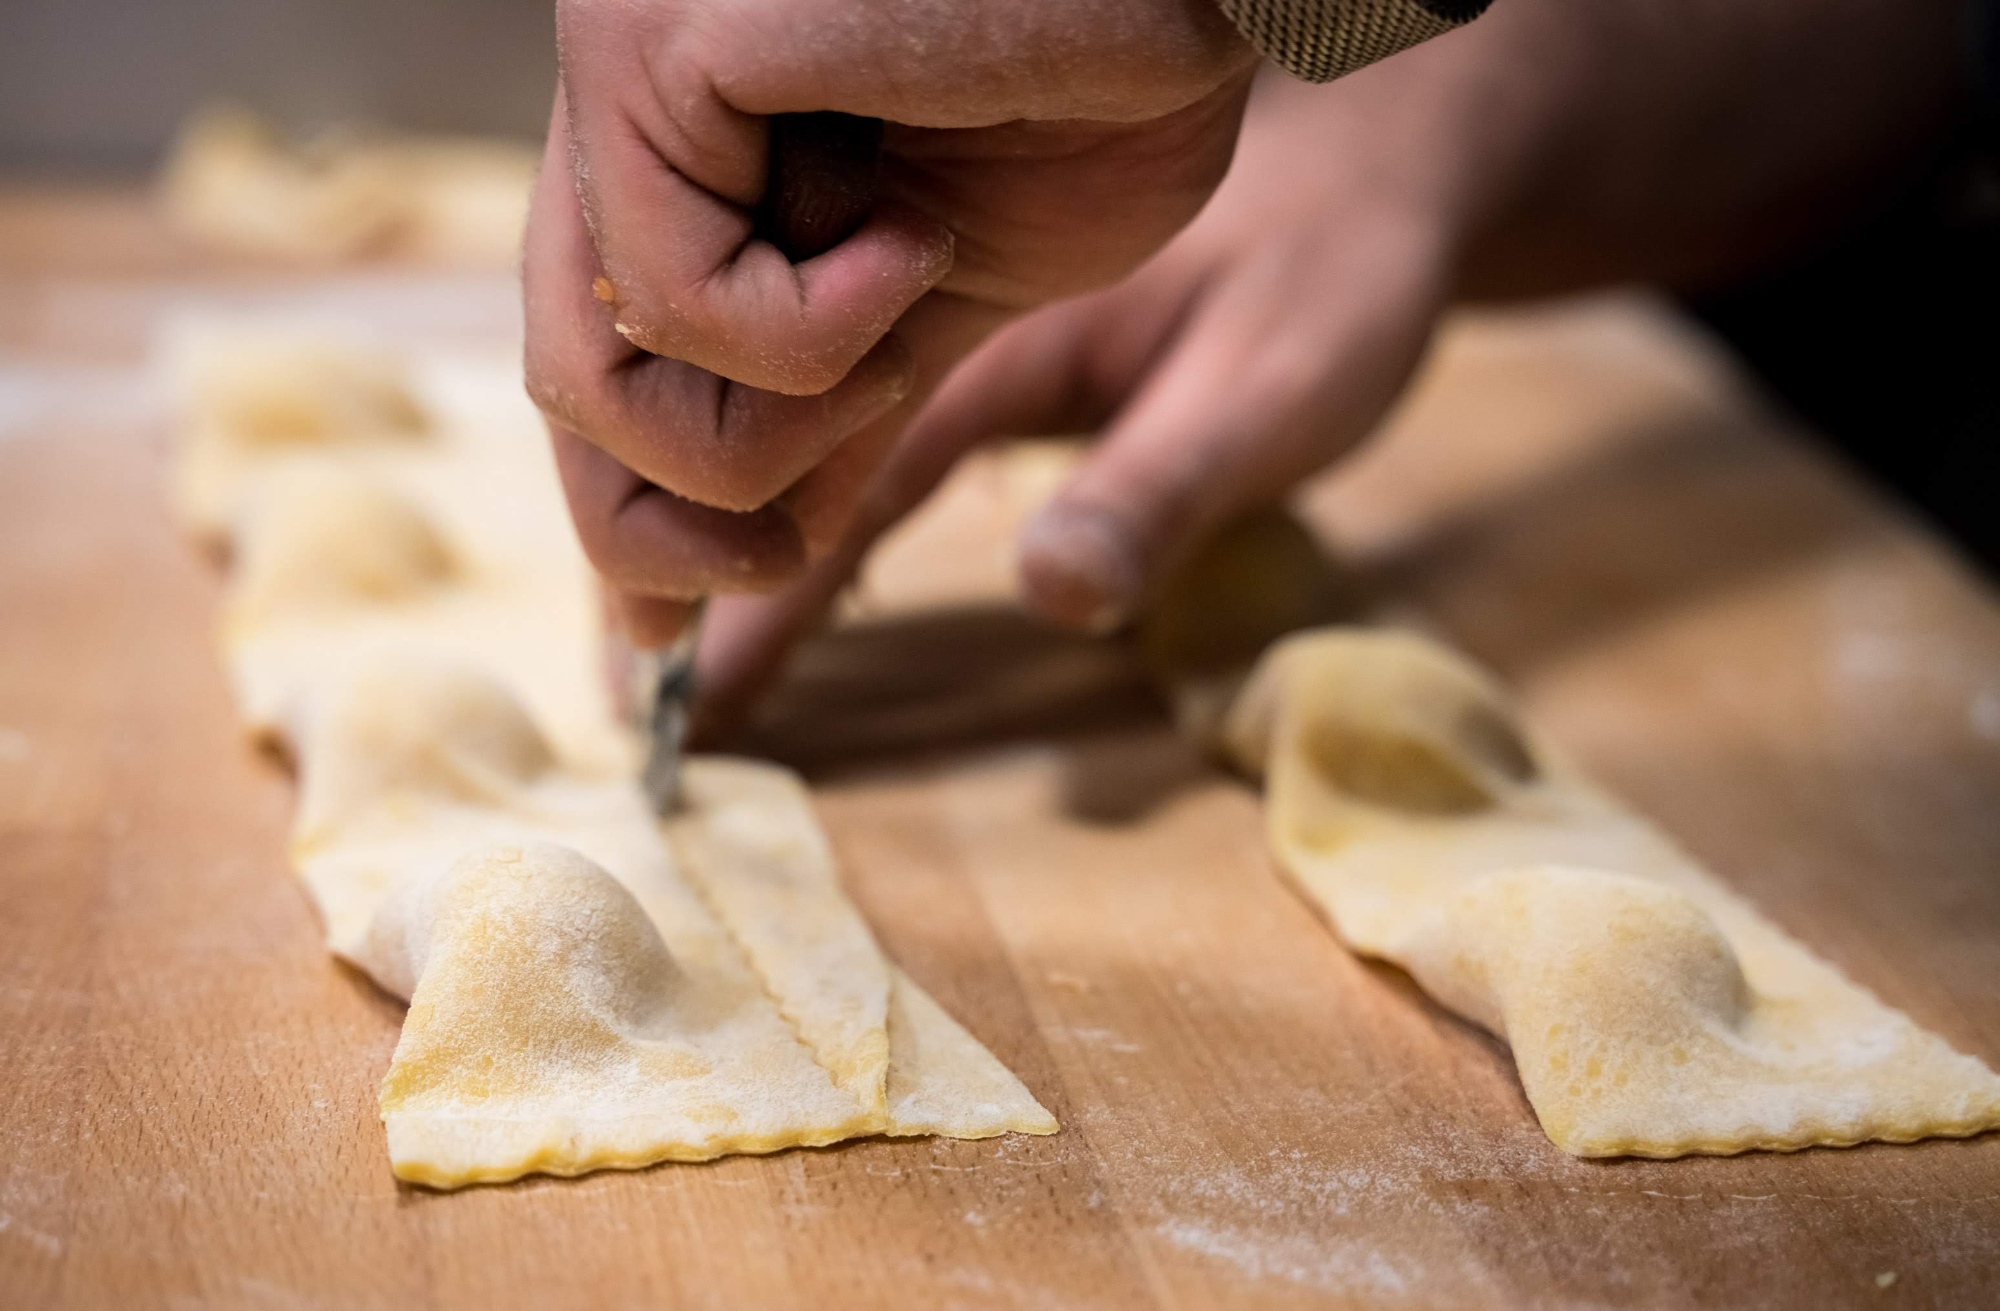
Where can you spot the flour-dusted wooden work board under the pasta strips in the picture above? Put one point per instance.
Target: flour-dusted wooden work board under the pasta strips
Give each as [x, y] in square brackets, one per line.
[1787, 674]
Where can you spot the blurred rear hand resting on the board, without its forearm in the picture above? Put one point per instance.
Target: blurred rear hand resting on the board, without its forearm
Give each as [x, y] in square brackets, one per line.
[1253, 351]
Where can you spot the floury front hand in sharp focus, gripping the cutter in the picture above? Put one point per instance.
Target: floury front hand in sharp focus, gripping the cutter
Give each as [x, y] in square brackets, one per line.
[717, 411]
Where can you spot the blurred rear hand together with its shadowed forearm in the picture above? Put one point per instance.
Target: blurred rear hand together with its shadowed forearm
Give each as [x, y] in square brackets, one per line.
[1551, 145]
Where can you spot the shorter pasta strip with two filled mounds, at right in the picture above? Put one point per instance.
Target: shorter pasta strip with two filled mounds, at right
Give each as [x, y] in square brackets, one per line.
[1651, 1010]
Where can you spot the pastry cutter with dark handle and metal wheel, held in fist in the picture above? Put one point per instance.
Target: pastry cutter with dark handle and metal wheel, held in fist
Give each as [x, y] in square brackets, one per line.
[819, 191]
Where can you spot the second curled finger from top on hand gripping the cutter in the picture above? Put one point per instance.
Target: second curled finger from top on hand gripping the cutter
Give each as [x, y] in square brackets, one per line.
[707, 439]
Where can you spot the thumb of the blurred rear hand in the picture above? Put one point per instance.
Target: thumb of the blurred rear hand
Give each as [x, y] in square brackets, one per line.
[1261, 389]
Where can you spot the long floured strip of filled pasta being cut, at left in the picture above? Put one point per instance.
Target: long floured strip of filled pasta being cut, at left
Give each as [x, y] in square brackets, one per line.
[589, 986]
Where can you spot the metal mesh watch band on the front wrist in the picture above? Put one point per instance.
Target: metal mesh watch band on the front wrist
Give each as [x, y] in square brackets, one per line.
[1323, 39]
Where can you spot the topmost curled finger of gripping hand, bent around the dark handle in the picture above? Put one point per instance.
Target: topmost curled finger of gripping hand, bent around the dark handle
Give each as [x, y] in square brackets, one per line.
[669, 177]
